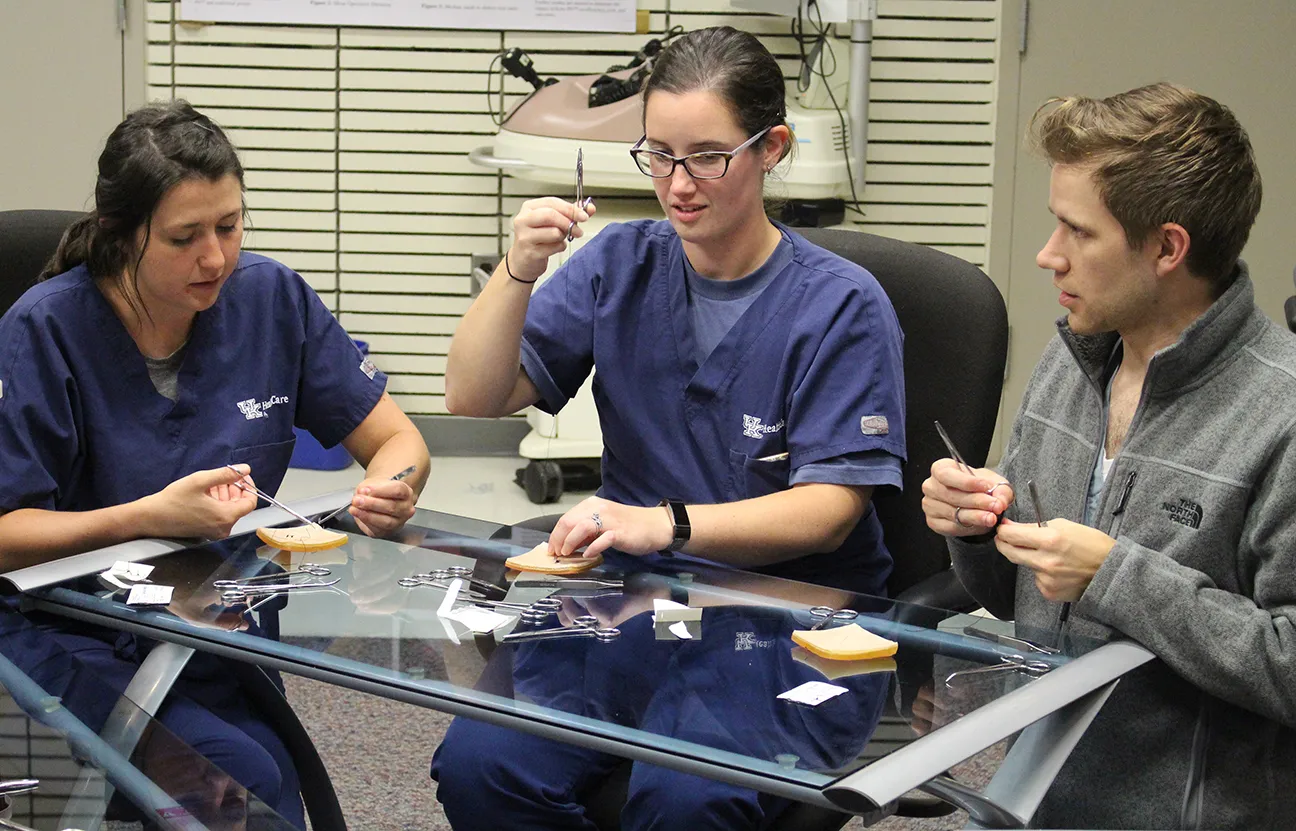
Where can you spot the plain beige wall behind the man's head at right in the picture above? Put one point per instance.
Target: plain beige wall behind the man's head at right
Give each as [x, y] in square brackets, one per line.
[1242, 53]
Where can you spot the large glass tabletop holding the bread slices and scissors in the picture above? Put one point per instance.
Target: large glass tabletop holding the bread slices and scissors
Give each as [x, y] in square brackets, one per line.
[700, 686]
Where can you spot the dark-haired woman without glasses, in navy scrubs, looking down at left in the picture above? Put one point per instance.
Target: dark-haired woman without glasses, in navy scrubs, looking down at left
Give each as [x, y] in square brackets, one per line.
[154, 355]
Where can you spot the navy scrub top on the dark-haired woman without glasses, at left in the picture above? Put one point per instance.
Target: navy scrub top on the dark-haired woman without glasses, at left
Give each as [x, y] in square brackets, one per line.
[82, 426]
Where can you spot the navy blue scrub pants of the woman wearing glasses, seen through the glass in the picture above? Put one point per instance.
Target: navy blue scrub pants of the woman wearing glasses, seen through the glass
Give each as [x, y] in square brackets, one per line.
[720, 692]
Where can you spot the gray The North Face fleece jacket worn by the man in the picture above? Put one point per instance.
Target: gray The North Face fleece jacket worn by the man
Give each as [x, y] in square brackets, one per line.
[1203, 572]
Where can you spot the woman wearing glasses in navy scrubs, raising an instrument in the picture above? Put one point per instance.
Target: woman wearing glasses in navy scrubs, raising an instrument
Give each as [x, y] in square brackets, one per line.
[750, 390]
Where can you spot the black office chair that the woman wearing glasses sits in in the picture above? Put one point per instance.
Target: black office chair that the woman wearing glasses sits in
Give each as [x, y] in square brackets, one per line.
[956, 349]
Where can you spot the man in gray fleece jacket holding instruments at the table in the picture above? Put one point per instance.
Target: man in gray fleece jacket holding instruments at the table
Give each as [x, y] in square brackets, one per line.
[1161, 430]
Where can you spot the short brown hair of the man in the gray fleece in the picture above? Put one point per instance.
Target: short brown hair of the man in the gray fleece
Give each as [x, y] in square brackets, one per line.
[1163, 154]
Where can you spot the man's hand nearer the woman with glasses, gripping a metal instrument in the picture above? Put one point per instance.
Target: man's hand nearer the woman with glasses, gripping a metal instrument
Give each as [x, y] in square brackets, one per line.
[965, 502]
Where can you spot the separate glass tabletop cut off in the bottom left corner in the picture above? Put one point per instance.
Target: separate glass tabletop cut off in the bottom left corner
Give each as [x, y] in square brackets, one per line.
[64, 776]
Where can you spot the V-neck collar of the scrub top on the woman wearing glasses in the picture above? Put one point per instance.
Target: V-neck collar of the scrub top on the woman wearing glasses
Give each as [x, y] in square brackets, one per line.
[715, 373]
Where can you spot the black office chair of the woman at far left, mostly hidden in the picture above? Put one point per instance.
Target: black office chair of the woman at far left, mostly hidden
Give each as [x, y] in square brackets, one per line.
[28, 240]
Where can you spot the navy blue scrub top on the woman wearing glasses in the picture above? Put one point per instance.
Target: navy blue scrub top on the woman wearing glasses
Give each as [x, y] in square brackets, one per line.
[813, 369]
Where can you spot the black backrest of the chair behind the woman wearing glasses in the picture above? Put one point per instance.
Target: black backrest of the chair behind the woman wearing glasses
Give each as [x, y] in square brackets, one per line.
[956, 348]
